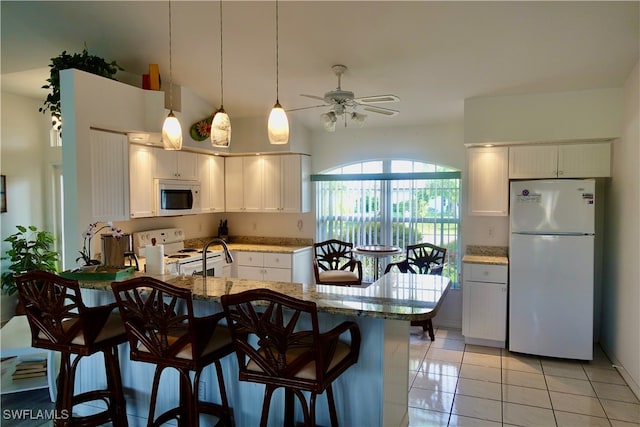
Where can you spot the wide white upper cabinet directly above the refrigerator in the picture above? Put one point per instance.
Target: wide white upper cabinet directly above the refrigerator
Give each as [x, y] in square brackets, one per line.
[589, 160]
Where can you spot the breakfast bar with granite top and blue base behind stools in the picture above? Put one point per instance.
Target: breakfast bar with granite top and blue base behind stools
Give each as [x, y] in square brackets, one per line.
[371, 393]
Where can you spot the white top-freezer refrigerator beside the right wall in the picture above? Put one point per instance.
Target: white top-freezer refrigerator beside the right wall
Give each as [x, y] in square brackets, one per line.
[551, 268]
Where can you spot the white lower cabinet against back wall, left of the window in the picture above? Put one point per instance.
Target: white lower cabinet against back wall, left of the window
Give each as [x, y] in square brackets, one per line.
[273, 267]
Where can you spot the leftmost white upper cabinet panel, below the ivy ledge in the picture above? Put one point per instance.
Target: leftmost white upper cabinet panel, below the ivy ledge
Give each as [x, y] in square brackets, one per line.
[109, 171]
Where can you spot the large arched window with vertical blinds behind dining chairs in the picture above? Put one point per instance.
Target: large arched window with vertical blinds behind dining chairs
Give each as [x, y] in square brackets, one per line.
[391, 202]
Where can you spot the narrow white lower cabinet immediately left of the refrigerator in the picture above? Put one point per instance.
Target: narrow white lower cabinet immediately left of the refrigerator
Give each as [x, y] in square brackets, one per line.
[484, 304]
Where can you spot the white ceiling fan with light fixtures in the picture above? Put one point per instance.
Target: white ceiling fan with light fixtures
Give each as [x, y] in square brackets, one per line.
[343, 103]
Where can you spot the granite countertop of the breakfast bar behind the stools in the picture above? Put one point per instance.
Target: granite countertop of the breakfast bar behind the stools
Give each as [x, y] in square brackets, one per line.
[394, 296]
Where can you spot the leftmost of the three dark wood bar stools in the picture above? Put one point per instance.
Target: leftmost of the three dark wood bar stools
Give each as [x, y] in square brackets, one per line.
[59, 321]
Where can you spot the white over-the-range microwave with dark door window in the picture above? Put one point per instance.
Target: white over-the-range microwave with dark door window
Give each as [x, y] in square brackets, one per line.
[177, 197]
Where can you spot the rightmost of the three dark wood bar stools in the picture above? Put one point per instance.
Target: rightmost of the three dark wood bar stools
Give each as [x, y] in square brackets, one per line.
[273, 350]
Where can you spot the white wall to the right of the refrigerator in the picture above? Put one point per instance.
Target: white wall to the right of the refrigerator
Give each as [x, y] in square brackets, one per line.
[621, 293]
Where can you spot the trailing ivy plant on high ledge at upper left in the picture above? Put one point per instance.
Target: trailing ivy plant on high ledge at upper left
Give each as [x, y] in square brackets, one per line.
[80, 61]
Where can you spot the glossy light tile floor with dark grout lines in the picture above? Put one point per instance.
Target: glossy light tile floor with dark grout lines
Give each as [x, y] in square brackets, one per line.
[457, 385]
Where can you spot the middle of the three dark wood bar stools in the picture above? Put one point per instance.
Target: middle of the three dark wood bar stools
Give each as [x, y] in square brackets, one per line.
[163, 330]
